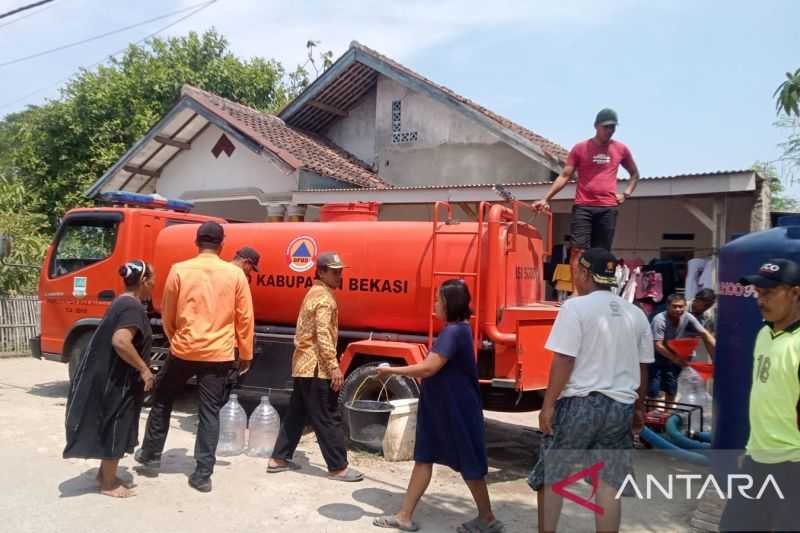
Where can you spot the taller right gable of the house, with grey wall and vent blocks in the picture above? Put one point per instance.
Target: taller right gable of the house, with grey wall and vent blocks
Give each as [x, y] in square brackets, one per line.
[412, 131]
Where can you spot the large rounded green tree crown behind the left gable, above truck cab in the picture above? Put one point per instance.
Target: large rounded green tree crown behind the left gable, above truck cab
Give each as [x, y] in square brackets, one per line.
[62, 147]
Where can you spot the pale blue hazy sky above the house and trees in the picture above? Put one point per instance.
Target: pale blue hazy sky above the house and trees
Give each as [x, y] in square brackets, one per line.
[692, 81]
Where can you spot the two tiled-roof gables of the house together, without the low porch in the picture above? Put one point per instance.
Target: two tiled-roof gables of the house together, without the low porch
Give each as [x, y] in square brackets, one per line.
[366, 122]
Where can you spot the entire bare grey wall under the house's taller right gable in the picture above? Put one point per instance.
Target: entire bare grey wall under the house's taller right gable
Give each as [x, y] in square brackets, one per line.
[450, 148]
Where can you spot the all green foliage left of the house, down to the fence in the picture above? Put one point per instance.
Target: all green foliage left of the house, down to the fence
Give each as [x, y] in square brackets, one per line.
[50, 154]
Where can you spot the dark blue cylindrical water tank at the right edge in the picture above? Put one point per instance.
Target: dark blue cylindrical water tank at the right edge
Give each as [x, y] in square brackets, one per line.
[738, 323]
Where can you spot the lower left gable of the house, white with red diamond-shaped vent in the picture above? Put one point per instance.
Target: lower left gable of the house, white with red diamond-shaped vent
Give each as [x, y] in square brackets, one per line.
[231, 160]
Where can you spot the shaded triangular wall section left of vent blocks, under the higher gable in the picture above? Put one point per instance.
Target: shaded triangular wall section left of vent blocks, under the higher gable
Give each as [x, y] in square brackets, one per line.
[356, 132]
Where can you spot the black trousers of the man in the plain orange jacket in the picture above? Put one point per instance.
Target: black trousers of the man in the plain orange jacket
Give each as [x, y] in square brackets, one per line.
[212, 381]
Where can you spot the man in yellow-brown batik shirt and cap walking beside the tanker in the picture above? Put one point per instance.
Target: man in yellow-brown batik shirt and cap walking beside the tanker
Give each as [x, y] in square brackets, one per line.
[317, 378]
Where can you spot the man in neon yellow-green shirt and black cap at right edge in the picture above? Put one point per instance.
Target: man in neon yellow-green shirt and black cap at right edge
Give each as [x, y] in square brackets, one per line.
[773, 447]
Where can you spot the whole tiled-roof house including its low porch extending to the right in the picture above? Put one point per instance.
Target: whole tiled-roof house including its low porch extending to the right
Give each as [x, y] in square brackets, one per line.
[371, 129]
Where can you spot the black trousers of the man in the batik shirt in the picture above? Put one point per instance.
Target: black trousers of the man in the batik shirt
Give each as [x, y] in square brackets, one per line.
[314, 401]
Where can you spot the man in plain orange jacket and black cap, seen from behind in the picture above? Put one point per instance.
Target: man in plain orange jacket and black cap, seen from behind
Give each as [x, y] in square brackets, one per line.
[207, 311]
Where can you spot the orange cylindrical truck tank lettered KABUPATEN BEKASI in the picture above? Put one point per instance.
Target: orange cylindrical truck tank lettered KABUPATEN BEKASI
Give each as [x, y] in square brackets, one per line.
[387, 284]
